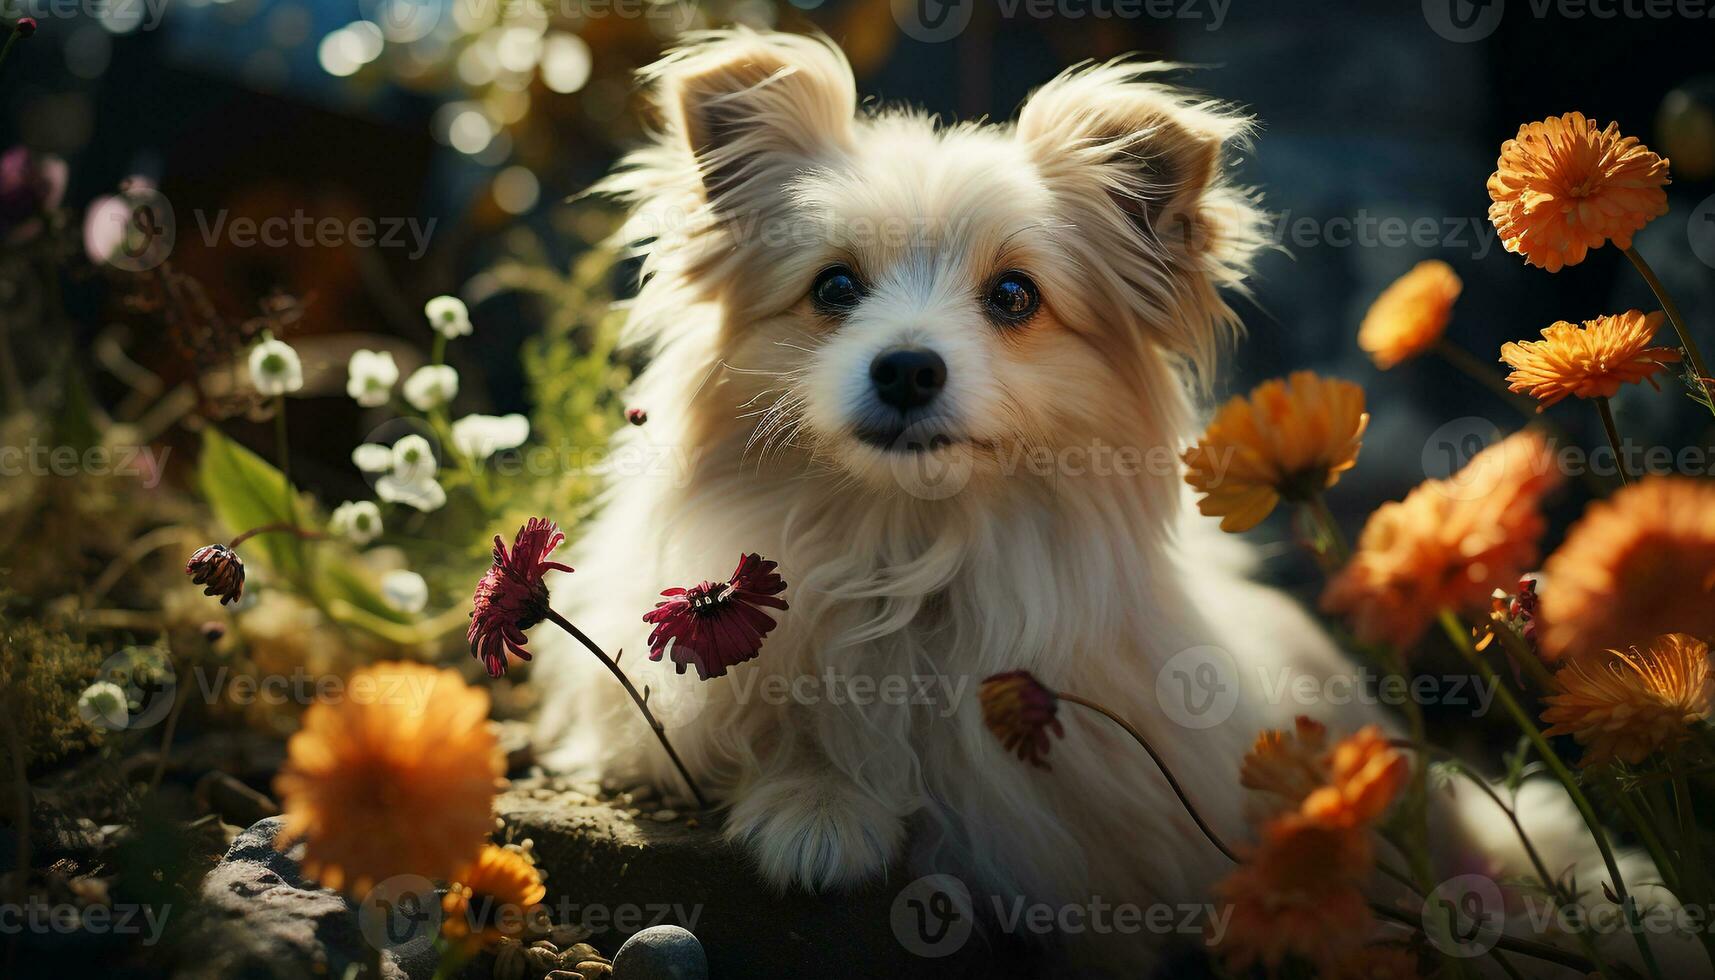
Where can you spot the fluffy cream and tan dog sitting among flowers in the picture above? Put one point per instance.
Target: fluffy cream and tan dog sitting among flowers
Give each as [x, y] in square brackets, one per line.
[942, 375]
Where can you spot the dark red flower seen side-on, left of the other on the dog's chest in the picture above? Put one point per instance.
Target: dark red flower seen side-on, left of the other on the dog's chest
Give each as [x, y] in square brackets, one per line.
[512, 596]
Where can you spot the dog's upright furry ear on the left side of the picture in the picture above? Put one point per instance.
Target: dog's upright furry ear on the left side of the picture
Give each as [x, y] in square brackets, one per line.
[752, 109]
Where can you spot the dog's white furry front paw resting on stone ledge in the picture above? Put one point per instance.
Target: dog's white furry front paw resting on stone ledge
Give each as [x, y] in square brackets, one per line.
[815, 833]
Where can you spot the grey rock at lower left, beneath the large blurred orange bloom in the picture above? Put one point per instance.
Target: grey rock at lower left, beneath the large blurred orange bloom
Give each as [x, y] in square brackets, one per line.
[267, 921]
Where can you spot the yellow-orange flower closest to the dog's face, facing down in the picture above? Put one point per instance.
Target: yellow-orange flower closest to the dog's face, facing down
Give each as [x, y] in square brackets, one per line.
[1287, 440]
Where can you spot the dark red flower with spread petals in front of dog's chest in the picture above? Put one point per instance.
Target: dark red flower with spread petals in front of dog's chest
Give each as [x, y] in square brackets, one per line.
[718, 624]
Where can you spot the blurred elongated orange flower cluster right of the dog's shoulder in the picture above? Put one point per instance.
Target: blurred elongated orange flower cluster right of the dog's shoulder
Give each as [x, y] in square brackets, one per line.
[1448, 545]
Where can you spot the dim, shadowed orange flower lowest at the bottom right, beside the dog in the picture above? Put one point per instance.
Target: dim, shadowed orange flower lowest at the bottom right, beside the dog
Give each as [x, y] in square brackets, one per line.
[1299, 893]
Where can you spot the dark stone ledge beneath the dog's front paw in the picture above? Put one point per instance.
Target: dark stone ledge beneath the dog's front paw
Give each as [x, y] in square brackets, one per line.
[618, 878]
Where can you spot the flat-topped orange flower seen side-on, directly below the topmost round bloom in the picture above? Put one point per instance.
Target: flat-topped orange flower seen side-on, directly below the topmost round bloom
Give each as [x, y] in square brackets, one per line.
[1591, 361]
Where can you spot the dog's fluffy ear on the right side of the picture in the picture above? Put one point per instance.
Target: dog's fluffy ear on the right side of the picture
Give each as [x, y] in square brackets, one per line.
[1138, 169]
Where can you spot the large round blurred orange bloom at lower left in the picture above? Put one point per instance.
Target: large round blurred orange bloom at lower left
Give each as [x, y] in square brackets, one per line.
[399, 777]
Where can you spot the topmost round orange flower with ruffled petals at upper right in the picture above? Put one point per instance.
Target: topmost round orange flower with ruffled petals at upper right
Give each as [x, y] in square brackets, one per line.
[1563, 188]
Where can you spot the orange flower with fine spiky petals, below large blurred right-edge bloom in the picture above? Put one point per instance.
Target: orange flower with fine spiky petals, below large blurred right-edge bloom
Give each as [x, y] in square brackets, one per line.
[1632, 705]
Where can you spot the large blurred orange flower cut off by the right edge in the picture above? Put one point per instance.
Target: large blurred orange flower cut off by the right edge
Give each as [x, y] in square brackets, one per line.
[1637, 566]
